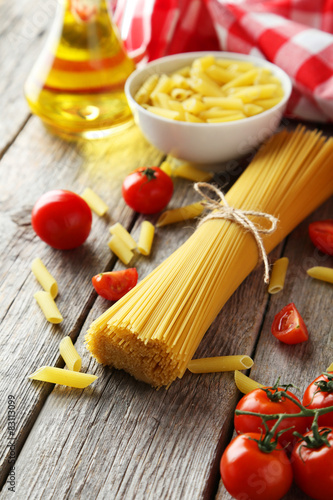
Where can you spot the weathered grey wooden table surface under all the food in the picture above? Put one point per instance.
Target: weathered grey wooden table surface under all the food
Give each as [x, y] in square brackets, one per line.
[119, 438]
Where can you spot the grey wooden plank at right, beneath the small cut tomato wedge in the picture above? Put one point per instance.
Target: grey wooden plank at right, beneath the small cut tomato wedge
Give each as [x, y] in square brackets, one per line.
[301, 363]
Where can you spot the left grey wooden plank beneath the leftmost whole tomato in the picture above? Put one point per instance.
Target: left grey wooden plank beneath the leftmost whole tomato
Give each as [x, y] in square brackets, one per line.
[34, 164]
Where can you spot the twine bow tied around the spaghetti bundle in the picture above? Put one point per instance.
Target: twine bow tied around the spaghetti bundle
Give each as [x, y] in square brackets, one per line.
[220, 209]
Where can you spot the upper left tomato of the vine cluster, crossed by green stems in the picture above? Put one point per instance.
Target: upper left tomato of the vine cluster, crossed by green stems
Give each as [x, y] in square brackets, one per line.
[261, 402]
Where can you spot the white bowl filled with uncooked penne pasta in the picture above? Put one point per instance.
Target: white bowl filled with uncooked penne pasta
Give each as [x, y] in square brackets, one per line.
[208, 108]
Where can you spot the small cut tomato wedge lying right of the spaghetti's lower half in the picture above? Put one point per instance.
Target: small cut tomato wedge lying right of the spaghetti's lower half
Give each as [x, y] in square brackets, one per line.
[289, 327]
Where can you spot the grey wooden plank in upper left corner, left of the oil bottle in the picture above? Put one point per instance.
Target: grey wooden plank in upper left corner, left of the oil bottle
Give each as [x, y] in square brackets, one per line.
[23, 31]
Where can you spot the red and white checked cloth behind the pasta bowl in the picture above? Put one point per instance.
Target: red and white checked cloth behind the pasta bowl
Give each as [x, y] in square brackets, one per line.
[296, 35]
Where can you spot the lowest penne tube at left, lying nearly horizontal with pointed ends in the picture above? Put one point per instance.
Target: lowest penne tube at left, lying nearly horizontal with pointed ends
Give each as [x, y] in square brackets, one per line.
[61, 376]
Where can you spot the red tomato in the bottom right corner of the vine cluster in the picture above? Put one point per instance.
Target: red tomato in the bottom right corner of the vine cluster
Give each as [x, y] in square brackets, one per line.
[313, 468]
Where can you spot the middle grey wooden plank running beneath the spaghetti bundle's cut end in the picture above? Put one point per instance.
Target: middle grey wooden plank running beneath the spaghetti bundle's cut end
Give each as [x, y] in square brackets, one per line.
[122, 439]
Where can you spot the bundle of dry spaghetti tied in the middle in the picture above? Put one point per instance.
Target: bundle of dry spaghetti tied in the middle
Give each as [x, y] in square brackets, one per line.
[154, 330]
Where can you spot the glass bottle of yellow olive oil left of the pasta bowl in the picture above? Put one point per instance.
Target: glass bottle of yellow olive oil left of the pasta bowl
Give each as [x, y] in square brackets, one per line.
[77, 84]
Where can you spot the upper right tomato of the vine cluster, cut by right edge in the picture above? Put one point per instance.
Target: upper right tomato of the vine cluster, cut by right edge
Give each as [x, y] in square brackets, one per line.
[319, 394]
